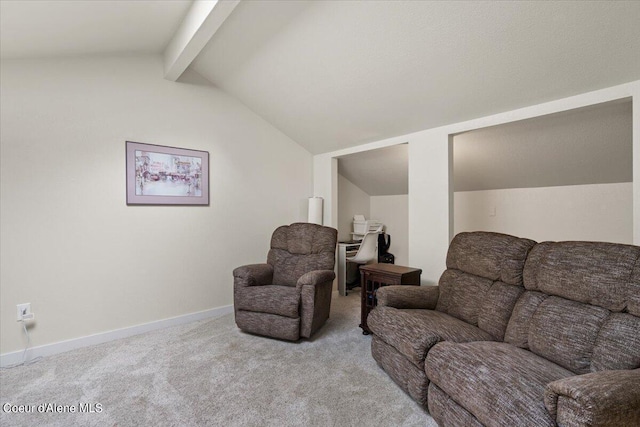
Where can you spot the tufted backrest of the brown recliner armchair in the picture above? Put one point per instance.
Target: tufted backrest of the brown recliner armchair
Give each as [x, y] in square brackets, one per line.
[299, 248]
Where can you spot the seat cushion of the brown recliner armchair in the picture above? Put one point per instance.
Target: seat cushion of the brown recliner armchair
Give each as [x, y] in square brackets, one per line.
[281, 300]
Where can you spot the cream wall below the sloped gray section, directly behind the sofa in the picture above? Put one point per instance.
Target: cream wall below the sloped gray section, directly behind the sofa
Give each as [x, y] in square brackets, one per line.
[601, 212]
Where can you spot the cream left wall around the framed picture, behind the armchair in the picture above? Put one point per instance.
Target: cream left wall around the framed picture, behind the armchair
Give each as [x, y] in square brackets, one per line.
[69, 244]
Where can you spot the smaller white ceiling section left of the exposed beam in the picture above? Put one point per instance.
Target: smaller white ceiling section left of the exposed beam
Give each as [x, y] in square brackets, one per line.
[53, 28]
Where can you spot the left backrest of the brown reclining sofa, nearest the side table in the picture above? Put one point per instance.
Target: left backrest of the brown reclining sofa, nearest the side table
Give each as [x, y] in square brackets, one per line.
[483, 279]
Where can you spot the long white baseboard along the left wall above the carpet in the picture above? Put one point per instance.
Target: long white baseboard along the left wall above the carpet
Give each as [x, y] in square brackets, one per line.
[13, 358]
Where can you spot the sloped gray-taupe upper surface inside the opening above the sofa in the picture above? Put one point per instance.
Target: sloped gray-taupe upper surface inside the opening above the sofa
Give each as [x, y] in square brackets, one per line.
[590, 145]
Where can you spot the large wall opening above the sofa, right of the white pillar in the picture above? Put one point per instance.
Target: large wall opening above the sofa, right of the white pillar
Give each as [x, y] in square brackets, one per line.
[562, 176]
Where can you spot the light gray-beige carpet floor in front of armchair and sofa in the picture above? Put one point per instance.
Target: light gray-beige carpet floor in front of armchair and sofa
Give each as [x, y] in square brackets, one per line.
[209, 373]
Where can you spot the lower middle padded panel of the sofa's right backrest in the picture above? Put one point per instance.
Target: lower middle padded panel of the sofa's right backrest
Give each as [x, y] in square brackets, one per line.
[565, 332]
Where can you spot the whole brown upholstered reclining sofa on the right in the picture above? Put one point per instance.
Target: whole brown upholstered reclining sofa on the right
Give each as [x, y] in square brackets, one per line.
[518, 334]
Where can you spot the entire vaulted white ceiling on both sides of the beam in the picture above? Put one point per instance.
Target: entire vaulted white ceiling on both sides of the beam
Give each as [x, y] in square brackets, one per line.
[334, 74]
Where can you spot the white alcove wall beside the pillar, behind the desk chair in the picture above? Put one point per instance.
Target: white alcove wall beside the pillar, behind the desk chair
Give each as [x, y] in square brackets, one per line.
[393, 212]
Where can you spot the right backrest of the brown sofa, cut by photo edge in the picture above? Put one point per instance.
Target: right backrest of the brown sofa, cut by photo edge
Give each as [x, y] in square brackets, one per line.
[581, 307]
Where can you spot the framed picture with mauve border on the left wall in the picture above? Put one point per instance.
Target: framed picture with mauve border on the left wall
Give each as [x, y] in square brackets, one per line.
[159, 175]
